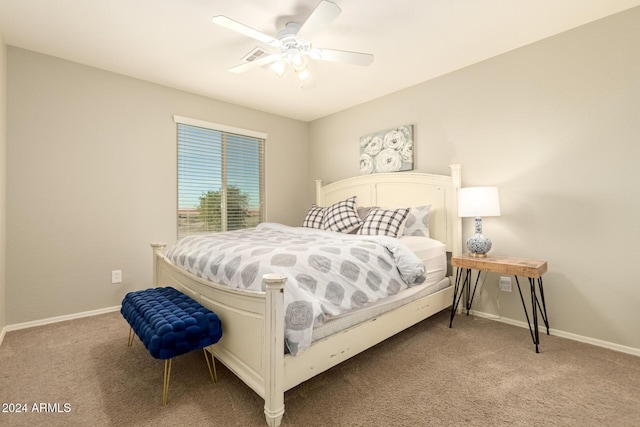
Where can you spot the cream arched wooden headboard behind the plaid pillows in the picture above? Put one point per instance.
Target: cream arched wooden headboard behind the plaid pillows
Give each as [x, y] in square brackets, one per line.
[406, 189]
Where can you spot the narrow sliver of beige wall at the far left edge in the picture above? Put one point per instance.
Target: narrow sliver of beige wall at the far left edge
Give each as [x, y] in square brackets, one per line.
[3, 169]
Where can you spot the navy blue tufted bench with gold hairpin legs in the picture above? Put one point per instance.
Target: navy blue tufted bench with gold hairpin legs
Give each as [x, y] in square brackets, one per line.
[169, 324]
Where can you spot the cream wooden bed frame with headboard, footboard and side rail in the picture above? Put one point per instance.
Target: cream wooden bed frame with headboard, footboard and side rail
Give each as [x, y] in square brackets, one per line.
[253, 345]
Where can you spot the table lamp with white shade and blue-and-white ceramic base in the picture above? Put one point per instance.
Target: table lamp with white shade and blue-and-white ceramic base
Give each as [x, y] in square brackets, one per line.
[478, 202]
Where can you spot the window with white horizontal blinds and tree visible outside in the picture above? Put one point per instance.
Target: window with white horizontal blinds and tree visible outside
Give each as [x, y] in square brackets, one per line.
[220, 177]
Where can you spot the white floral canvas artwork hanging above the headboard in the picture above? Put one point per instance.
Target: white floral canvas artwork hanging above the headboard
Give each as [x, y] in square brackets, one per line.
[387, 151]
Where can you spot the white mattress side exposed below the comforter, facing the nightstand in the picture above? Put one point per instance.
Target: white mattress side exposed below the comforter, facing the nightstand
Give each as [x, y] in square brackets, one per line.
[434, 256]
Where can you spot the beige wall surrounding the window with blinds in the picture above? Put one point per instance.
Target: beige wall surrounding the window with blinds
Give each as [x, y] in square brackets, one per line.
[91, 180]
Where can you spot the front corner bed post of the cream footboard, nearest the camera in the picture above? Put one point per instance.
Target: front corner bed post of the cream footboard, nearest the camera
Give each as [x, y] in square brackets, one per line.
[274, 349]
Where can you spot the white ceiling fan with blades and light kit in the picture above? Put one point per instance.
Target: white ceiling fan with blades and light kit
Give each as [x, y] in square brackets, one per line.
[293, 45]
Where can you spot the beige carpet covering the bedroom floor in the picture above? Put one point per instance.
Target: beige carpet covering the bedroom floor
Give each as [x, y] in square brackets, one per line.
[480, 373]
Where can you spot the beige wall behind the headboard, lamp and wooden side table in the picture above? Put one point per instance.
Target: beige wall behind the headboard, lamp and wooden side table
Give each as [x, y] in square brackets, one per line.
[555, 125]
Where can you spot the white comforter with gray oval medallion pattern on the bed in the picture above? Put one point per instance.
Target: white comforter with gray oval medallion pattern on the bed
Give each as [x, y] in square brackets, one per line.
[327, 273]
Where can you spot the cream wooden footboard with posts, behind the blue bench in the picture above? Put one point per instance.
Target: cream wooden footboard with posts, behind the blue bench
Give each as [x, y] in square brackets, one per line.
[252, 343]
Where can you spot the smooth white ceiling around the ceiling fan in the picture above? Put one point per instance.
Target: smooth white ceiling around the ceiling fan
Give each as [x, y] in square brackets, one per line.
[174, 42]
